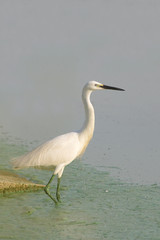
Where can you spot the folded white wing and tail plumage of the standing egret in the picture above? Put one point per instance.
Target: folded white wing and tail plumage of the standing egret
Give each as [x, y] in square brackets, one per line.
[62, 149]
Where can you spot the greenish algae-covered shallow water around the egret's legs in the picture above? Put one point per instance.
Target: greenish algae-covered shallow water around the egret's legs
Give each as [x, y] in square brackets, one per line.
[94, 206]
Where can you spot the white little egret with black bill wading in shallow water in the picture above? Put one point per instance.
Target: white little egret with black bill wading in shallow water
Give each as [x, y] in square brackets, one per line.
[62, 150]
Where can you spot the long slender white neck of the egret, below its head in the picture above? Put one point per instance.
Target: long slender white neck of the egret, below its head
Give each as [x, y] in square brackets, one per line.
[88, 128]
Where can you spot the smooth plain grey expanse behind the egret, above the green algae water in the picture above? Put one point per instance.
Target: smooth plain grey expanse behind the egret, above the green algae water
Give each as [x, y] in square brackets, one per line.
[50, 49]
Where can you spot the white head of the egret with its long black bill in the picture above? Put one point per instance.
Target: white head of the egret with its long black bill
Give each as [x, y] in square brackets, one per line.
[93, 85]
